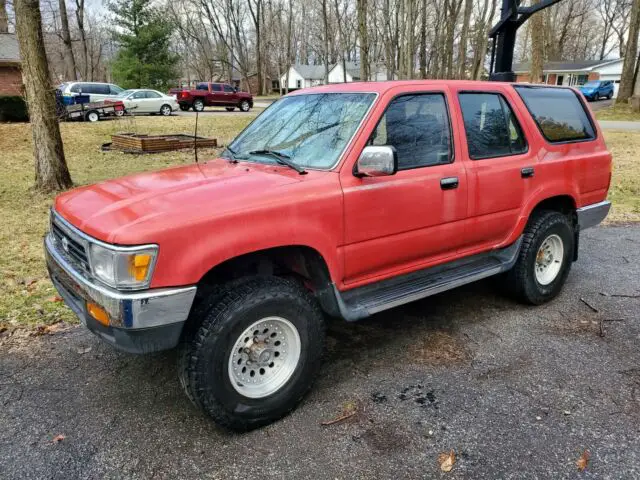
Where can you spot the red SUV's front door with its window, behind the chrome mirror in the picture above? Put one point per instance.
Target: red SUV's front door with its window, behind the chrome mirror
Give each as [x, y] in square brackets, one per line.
[412, 219]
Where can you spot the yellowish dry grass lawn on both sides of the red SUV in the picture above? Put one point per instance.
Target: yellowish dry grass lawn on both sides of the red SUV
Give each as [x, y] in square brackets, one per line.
[26, 295]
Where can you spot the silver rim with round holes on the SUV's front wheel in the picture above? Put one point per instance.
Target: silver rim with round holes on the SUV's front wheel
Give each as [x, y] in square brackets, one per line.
[264, 357]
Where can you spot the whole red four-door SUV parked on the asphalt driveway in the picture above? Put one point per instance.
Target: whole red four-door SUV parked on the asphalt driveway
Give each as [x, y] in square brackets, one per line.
[342, 200]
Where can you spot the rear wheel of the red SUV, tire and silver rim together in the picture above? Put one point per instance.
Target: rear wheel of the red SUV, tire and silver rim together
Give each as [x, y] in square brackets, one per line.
[544, 260]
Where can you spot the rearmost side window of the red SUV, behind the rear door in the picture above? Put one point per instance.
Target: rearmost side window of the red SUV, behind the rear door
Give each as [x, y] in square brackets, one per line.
[559, 113]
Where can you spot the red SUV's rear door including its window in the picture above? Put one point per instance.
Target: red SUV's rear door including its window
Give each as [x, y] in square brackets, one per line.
[500, 166]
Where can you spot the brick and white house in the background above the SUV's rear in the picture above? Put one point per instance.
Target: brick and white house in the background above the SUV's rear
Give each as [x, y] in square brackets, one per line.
[574, 73]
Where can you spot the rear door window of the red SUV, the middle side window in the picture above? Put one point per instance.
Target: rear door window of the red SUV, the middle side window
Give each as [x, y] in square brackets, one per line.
[491, 127]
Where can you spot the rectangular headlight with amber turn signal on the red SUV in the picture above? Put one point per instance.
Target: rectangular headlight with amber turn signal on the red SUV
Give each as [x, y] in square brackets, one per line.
[126, 268]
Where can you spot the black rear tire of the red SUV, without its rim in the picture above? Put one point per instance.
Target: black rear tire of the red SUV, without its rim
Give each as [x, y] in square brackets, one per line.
[521, 279]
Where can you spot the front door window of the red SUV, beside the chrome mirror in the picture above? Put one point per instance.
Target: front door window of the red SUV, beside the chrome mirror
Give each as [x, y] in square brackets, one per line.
[417, 126]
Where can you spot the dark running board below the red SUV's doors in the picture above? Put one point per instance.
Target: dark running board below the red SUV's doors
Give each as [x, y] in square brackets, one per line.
[365, 301]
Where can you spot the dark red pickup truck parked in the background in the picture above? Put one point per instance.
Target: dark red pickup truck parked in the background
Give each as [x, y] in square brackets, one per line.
[213, 95]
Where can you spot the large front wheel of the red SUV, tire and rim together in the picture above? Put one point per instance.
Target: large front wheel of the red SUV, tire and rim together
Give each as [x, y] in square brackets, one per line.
[255, 352]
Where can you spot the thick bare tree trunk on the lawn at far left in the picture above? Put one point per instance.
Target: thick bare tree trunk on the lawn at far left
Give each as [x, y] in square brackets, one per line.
[51, 168]
